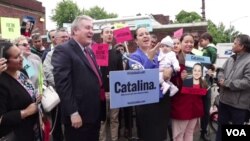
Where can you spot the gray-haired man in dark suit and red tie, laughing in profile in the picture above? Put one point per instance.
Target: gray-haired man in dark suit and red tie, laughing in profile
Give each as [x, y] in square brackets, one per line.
[78, 83]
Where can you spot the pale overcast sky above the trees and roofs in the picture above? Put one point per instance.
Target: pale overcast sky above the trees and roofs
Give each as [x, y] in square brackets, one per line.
[228, 12]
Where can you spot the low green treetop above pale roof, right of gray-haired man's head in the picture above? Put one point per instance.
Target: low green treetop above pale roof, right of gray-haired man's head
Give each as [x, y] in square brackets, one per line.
[99, 13]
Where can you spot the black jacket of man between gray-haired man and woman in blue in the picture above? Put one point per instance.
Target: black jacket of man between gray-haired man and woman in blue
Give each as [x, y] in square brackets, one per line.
[115, 63]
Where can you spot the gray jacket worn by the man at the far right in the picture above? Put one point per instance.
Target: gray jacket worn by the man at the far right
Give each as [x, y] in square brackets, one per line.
[236, 92]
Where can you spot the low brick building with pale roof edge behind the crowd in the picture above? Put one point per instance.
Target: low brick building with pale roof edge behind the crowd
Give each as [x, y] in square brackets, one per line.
[161, 26]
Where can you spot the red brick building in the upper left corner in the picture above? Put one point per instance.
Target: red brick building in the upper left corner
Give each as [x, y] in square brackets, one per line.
[24, 8]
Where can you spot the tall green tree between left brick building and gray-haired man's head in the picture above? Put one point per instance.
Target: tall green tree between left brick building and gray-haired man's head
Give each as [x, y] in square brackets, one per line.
[65, 12]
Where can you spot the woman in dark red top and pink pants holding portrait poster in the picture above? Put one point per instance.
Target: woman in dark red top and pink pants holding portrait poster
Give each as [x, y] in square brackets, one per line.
[186, 107]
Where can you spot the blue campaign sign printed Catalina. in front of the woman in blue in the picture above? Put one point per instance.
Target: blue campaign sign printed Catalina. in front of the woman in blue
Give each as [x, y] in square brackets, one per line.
[134, 87]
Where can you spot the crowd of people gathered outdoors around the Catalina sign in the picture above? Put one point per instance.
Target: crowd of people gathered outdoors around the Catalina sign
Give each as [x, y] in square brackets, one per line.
[69, 65]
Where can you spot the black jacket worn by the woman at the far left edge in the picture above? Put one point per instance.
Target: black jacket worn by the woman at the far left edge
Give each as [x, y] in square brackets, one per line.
[13, 98]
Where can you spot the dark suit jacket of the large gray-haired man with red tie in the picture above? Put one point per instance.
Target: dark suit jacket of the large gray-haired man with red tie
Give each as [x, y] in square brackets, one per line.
[76, 83]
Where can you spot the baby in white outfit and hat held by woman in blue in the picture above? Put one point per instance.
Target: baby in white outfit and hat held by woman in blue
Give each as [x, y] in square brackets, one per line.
[167, 58]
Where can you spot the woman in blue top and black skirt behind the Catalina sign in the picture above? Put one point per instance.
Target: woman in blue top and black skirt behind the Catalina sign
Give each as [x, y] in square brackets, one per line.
[152, 119]
